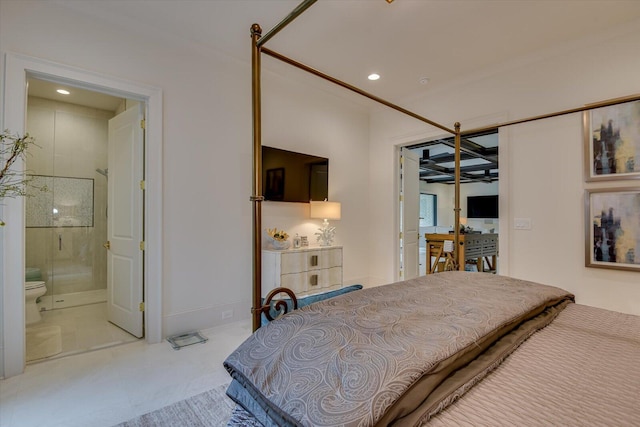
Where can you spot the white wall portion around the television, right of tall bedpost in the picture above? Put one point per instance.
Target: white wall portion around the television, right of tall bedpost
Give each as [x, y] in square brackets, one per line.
[326, 127]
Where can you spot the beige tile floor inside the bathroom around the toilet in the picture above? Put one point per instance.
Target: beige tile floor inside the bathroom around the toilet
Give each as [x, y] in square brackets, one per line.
[83, 328]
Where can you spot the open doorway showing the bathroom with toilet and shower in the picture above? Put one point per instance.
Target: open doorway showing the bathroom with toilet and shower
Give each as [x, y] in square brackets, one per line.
[68, 219]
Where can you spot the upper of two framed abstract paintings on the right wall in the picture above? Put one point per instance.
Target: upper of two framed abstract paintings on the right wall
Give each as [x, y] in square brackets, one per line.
[612, 142]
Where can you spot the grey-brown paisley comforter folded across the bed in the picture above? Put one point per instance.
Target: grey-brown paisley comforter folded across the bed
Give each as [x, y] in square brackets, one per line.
[394, 354]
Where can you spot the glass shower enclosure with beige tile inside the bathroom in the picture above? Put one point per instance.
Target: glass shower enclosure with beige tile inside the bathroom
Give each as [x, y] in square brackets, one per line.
[66, 204]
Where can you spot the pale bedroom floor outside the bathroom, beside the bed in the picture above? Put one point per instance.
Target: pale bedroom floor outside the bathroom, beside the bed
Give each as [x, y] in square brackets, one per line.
[105, 387]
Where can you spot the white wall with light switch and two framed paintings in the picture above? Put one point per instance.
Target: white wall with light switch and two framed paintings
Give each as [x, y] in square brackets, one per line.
[541, 172]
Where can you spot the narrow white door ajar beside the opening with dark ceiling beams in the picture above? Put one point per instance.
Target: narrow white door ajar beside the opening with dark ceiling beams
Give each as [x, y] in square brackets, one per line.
[409, 214]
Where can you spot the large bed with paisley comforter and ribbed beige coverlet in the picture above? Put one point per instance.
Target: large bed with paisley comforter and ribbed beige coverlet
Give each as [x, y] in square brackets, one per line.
[454, 348]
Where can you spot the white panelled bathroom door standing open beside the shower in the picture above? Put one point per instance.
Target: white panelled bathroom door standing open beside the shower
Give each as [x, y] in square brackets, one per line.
[124, 222]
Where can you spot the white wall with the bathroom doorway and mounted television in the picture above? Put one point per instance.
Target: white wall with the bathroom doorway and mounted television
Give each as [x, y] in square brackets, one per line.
[207, 152]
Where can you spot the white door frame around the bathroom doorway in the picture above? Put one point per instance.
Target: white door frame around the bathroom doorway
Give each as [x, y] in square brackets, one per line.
[17, 68]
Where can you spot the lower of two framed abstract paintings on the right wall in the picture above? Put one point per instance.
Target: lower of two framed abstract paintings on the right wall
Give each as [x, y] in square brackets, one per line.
[612, 220]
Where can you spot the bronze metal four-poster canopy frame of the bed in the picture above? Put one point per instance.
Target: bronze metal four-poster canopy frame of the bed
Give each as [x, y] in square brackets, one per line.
[257, 198]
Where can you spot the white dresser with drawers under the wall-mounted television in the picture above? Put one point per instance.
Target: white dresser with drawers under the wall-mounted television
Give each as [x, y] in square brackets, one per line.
[305, 270]
